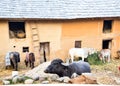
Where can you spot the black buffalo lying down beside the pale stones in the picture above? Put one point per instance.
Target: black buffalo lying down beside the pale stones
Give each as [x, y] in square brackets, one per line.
[57, 67]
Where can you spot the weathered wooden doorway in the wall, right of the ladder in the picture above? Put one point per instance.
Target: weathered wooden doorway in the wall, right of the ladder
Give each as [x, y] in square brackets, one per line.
[44, 51]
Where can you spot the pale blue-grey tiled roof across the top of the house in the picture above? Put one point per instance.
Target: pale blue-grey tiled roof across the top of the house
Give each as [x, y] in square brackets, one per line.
[59, 9]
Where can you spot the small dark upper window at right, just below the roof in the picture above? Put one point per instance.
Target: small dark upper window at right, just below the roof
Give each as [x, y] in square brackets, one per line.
[107, 26]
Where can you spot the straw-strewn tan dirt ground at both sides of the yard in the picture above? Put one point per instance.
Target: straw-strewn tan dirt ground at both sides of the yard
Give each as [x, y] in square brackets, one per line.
[105, 73]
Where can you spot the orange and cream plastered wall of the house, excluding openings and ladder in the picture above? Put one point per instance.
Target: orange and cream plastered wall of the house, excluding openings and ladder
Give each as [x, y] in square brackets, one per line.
[62, 36]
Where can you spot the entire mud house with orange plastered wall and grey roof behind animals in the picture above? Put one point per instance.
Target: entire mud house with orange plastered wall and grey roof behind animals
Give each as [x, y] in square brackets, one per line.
[49, 28]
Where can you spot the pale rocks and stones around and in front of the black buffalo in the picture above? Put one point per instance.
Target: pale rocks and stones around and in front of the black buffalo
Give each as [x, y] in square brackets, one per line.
[37, 74]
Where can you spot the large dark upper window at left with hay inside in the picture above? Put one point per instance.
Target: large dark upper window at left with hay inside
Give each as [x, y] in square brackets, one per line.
[17, 30]
